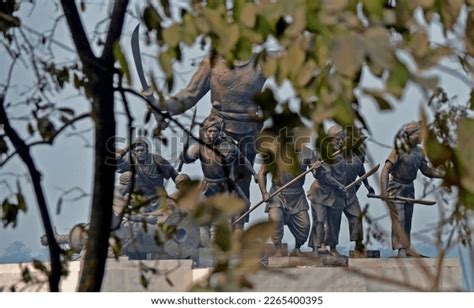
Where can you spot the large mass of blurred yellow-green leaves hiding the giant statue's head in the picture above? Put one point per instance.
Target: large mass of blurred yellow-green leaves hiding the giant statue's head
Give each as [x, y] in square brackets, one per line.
[322, 48]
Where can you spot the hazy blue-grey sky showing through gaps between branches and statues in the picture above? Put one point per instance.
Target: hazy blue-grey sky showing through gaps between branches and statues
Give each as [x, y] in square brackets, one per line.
[69, 163]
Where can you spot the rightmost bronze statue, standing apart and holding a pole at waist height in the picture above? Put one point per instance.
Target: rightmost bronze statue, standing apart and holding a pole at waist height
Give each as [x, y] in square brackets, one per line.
[397, 180]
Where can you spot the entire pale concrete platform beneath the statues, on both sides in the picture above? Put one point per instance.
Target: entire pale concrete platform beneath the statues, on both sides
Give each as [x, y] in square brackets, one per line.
[373, 275]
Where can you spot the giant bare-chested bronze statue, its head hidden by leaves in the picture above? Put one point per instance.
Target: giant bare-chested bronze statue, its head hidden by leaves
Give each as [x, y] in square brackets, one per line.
[232, 92]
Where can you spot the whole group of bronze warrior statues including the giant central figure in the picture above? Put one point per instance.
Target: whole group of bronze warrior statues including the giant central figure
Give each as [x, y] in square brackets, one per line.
[227, 152]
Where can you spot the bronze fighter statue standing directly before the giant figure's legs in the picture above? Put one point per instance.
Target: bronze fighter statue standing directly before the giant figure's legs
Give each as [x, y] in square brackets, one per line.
[220, 161]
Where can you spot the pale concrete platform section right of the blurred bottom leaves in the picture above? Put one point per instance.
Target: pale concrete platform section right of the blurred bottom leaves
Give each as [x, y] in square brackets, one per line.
[362, 275]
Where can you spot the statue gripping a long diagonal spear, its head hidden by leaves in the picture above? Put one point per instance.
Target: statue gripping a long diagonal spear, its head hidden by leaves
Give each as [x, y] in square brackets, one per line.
[290, 206]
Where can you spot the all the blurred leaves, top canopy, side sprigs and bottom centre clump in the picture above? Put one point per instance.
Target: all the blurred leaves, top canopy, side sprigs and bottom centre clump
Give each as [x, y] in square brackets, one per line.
[322, 49]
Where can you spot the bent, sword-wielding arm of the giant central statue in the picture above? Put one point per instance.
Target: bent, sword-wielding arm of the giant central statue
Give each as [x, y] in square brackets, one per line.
[198, 86]
